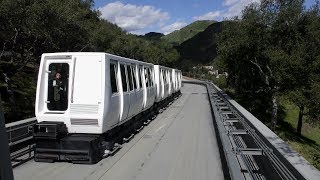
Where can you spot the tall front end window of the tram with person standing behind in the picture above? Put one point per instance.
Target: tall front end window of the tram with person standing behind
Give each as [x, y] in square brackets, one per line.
[58, 79]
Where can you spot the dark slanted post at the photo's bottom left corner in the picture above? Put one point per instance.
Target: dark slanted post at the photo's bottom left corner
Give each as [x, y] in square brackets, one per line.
[5, 162]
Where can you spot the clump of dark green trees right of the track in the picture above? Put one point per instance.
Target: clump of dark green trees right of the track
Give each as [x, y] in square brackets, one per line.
[270, 51]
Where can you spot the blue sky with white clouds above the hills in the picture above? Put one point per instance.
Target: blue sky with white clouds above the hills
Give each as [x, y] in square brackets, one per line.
[165, 16]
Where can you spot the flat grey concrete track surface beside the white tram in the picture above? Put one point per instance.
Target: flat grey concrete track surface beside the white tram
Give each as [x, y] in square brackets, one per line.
[179, 144]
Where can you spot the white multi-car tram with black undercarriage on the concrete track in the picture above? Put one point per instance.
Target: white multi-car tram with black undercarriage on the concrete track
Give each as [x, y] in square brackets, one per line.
[87, 100]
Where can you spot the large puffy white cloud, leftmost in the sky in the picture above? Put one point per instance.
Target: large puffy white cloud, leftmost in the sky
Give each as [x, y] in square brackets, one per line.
[133, 18]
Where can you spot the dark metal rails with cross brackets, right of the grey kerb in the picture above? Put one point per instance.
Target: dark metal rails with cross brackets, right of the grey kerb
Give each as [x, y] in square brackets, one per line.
[272, 167]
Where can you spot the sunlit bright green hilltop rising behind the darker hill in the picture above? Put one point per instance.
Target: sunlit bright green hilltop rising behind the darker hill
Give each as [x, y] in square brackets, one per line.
[179, 36]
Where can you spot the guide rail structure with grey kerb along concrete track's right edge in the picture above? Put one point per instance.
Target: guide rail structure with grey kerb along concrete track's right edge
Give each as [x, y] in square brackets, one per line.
[245, 152]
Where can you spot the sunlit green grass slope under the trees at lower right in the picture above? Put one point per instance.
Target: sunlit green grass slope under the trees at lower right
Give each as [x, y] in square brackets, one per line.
[308, 145]
